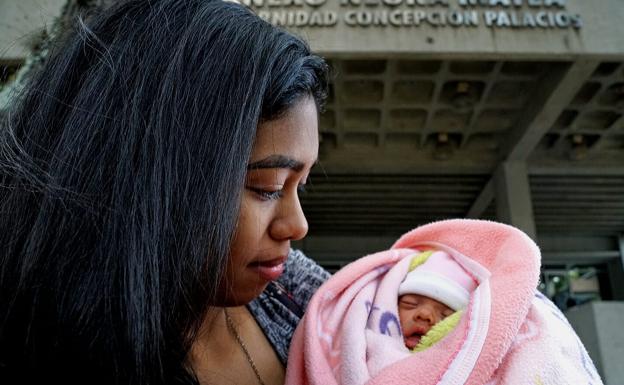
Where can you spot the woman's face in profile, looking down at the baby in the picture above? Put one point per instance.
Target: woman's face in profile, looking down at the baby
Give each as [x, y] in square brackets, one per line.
[270, 215]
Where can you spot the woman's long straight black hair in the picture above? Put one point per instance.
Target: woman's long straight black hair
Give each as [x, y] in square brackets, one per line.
[121, 169]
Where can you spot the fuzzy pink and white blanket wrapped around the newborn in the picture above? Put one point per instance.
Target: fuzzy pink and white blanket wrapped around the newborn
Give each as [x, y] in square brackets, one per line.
[509, 334]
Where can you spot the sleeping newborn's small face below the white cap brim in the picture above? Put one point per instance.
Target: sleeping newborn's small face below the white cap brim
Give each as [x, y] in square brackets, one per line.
[418, 314]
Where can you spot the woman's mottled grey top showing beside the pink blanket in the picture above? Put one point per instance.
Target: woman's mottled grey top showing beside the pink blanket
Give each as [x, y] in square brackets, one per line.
[278, 313]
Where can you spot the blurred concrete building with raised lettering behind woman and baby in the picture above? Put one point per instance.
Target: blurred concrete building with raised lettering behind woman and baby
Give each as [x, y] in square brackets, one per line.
[509, 110]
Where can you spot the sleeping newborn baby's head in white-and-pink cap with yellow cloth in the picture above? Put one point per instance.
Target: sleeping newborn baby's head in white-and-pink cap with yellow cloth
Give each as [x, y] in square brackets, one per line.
[434, 292]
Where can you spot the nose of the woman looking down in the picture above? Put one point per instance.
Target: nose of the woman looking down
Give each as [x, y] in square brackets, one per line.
[290, 223]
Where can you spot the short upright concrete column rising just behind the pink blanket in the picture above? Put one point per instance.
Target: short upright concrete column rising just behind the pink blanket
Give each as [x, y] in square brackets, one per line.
[513, 196]
